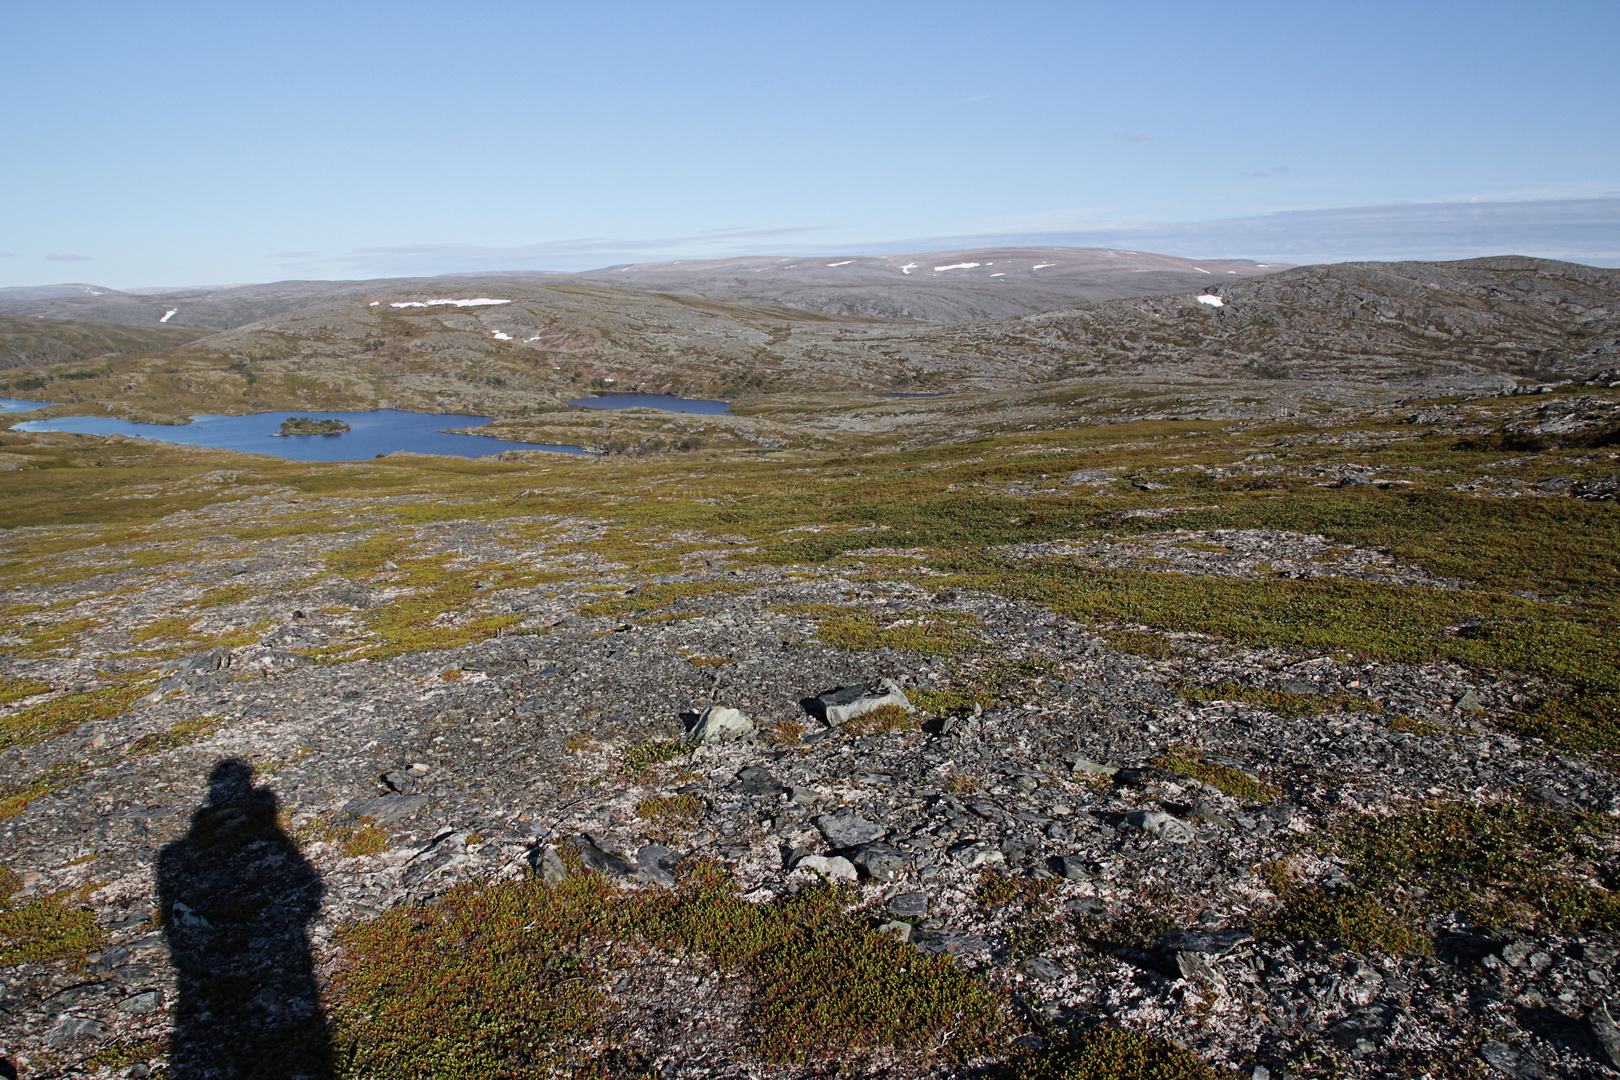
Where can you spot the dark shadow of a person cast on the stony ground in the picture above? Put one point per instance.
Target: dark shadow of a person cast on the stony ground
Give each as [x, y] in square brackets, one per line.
[237, 898]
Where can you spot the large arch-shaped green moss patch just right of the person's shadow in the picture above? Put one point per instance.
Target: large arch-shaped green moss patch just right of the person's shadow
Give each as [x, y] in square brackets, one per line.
[508, 980]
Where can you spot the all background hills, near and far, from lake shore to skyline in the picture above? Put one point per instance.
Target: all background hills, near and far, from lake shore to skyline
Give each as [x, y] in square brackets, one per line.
[1235, 341]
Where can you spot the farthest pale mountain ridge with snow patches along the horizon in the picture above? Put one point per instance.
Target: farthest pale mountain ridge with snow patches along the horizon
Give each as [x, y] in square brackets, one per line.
[931, 287]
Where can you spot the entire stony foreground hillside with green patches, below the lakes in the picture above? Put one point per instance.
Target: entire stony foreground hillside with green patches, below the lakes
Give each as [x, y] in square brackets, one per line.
[1279, 749]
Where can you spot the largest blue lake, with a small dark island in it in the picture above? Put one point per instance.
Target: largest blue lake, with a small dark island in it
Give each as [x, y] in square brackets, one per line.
[380, 432]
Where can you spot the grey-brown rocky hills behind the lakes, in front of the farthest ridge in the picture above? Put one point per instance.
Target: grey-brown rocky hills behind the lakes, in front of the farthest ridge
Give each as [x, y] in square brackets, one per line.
[1292, 342]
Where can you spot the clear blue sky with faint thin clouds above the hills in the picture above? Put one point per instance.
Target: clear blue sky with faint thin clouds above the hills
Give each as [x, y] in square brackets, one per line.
[210, 143]
